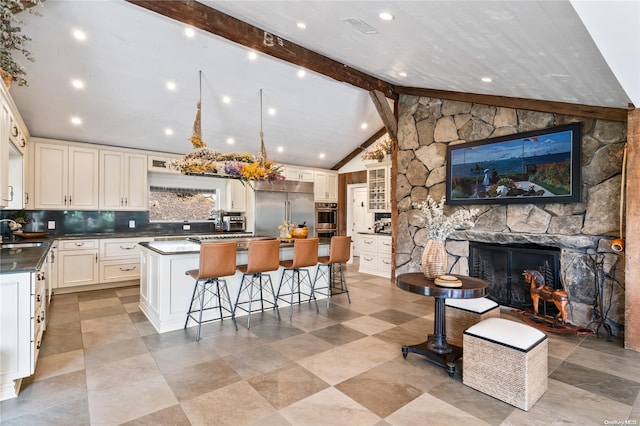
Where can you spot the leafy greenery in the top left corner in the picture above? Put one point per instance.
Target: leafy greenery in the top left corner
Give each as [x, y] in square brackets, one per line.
[13, 40]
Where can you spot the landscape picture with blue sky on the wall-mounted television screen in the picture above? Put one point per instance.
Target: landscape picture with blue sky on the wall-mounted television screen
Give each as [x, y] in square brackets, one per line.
[537, 166]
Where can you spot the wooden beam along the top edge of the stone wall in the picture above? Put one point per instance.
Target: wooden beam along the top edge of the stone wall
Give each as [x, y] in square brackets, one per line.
[588, 111]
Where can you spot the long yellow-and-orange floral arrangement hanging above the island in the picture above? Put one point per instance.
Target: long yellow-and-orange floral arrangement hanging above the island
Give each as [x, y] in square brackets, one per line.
[241, 166]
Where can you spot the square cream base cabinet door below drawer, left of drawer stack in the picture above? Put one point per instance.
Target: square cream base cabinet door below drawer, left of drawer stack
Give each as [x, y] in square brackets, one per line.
[77, 267]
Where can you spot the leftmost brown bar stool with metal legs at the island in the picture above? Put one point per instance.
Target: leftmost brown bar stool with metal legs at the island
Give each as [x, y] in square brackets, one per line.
[216, 260]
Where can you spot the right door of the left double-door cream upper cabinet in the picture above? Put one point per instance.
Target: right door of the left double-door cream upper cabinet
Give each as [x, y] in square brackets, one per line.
[83, 178]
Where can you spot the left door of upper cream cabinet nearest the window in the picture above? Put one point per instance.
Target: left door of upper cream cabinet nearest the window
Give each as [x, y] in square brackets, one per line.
[111, 180]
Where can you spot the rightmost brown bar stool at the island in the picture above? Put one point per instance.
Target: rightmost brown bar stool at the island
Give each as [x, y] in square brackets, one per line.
[339, 253]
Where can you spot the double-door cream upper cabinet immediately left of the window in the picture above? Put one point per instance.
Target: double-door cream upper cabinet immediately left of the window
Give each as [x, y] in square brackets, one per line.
[123, 181]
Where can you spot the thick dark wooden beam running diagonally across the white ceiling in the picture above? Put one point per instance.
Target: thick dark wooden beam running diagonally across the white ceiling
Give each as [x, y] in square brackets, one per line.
[220, 24]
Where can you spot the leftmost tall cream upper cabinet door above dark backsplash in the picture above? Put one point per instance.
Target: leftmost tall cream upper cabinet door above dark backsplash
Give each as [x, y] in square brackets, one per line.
[51, 177]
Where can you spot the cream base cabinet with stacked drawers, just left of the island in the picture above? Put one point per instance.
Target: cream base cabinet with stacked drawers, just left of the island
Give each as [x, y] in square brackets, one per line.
[120, 259]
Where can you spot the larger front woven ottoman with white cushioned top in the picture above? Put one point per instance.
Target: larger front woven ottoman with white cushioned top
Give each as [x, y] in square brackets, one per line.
[507, 360]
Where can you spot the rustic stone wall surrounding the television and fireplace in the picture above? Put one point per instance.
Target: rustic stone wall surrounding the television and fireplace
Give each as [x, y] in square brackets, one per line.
[426, 126]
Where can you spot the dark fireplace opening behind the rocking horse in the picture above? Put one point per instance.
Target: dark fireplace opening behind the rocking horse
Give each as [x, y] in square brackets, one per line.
[502, 267]
